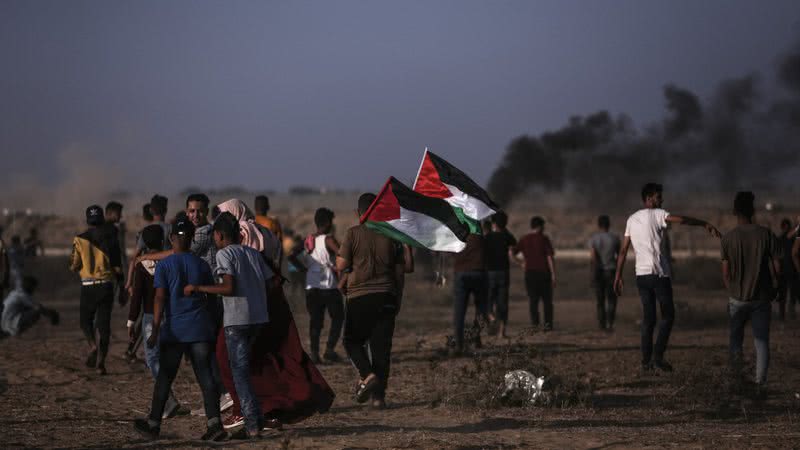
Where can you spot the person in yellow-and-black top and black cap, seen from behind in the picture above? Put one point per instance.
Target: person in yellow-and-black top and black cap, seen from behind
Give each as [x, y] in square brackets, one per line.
[96, 257]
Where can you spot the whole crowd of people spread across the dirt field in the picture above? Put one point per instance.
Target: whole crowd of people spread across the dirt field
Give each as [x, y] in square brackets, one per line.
[208, 285]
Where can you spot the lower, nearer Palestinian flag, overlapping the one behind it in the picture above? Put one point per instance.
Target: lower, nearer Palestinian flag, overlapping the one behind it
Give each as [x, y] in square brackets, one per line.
[414, 219]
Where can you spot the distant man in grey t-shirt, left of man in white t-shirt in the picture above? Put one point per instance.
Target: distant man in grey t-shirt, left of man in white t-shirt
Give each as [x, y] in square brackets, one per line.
[604, 247]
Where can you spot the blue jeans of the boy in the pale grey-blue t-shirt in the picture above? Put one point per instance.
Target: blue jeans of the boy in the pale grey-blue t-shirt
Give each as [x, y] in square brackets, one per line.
[240, 339]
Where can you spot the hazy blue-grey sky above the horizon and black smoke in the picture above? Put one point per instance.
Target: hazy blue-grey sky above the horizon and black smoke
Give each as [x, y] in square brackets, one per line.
[167, 94]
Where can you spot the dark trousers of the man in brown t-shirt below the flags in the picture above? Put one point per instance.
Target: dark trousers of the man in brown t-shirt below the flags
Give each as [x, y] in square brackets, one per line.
[369, 320]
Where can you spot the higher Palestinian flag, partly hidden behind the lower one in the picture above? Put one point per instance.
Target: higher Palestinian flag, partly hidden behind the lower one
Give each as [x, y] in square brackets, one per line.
[439, 179]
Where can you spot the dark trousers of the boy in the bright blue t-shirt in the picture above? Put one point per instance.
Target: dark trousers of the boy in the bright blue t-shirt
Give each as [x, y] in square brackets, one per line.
[200, 354]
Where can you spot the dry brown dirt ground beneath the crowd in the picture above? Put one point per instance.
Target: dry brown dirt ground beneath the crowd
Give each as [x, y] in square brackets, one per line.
[600, 397]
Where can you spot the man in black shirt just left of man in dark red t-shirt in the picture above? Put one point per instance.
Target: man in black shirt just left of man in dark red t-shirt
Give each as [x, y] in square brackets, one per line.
[497, 244]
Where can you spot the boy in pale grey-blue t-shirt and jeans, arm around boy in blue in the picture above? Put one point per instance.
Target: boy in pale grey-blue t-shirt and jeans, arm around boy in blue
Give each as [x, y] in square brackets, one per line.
[245, 275]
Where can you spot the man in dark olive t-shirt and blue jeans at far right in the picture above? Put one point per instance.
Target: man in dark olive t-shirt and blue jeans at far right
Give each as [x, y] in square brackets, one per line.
[751, 257]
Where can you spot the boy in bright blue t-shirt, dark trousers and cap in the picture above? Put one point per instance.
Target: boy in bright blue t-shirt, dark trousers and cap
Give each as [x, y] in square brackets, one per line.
[182, 324]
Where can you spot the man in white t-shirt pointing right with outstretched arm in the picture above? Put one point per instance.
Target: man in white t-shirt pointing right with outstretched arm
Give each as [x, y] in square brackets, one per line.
[645, 229]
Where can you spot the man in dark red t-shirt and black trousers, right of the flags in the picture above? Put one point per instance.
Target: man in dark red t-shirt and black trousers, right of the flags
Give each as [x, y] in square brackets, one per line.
[540, 271]
